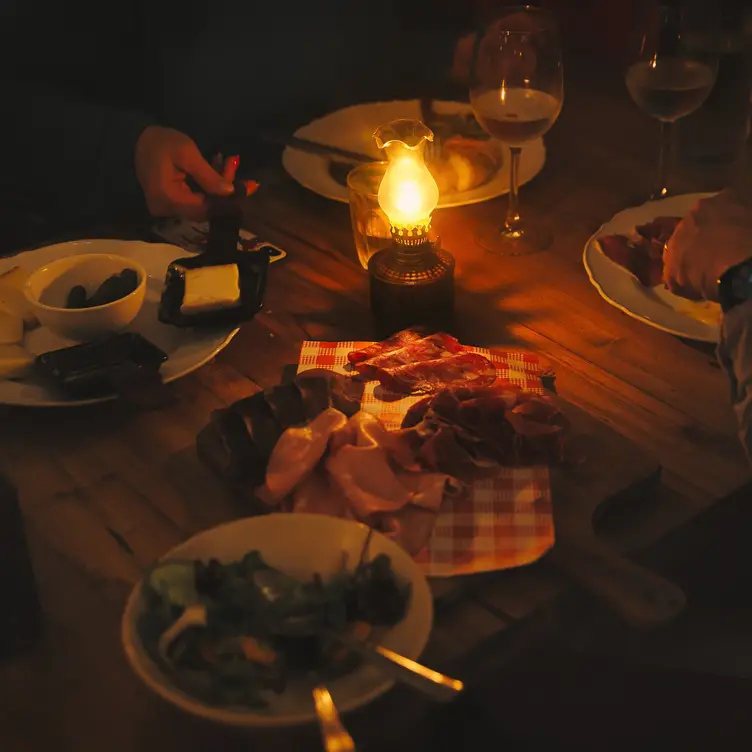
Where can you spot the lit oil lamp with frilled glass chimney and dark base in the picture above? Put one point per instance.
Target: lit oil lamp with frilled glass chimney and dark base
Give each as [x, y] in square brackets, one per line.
[411, 280]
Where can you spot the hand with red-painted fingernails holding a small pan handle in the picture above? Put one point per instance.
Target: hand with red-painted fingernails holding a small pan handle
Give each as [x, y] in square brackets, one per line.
[165, 159]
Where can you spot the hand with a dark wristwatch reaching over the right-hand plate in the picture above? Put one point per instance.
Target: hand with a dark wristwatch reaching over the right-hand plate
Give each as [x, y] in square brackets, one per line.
[713, 237]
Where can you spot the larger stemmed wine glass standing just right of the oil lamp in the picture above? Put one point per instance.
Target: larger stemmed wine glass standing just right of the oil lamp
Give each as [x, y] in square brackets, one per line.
[516, 91]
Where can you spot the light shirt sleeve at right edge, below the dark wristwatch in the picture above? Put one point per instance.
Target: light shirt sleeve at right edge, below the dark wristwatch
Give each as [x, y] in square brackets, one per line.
[735, 356]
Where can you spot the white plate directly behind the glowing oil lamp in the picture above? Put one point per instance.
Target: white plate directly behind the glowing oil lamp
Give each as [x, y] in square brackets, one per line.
[353, 129]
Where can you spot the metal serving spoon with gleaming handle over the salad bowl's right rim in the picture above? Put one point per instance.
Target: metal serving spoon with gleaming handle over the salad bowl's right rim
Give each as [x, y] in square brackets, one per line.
[273, 584]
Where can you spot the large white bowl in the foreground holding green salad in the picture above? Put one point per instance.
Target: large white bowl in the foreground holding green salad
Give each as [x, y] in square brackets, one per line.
[300, 545]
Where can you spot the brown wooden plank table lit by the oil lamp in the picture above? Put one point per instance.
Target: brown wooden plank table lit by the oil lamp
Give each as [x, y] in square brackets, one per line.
[106, 490]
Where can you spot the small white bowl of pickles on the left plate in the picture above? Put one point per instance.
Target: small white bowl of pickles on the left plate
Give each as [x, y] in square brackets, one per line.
[47, 291]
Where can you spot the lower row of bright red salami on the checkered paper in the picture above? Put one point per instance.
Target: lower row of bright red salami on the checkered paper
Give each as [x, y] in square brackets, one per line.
[462, 369]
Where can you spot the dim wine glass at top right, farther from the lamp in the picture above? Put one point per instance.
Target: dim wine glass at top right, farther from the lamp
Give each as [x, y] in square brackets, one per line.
[667, 76]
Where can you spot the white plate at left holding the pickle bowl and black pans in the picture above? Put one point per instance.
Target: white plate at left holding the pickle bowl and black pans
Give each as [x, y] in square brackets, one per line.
[187, 349]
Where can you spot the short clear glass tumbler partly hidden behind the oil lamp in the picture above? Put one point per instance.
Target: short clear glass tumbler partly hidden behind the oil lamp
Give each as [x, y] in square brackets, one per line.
[370, 226]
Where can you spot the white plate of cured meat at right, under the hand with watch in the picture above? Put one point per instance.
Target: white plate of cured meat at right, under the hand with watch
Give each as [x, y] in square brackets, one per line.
[657, 307]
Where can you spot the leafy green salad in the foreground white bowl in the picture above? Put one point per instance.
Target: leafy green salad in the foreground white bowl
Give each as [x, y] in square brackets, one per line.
[263, 627]
